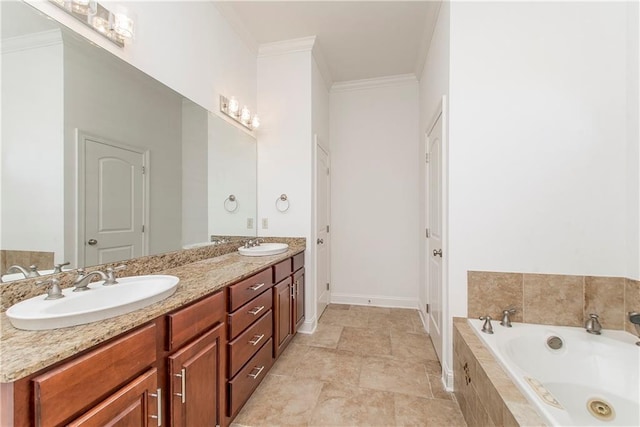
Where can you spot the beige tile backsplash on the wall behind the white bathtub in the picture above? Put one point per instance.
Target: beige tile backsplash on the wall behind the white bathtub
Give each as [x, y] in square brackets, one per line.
[553, 299]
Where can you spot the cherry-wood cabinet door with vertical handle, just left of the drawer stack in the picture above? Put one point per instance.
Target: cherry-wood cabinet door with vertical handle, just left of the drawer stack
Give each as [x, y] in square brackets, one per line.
[196, 381]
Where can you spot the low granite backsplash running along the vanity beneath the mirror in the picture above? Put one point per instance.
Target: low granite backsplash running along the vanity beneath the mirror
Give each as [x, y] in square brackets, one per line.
[16, 291]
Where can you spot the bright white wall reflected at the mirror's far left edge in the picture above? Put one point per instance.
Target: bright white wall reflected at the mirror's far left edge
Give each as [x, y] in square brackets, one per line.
[35, 66]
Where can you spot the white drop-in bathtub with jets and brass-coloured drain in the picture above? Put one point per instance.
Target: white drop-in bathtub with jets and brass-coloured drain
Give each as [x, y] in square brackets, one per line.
[590, 380]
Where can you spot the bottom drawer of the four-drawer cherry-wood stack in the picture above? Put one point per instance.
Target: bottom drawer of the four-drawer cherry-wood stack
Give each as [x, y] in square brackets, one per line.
[249, 377]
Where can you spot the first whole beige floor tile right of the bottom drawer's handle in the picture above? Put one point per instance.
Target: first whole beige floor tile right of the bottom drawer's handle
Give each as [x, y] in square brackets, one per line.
[329, 365]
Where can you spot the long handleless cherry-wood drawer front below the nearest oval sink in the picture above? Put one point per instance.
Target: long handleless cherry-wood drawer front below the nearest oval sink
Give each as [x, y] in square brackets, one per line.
[72, 387]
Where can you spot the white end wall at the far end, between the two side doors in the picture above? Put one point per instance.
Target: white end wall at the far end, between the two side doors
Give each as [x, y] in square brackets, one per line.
[374, 214]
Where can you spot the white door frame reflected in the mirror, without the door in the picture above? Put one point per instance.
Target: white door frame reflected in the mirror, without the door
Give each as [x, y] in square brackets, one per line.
[81, 139]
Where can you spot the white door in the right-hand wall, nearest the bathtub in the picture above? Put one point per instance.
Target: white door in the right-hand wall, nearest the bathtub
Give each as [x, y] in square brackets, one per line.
[434, 240]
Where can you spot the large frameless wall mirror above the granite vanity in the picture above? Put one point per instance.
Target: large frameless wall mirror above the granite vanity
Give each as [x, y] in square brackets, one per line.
[102, 163]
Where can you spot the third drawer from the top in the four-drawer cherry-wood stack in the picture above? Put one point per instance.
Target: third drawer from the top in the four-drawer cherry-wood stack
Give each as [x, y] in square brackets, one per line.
[242, 348]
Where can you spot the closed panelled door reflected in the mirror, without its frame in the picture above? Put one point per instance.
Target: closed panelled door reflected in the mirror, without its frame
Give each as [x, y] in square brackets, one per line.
[114, 203]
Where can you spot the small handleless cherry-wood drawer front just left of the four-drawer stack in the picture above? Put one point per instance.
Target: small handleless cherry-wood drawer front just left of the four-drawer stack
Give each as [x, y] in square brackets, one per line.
[190, 321]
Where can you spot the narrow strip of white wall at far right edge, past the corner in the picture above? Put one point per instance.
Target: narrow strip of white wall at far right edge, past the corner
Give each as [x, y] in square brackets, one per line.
[633, 138]
